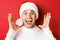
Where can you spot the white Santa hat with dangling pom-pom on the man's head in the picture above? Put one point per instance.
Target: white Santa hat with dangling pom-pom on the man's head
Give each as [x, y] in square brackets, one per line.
[25, 6]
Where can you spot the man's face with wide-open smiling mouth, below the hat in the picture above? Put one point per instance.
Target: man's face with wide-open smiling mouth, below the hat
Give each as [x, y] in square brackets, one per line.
[29, 18]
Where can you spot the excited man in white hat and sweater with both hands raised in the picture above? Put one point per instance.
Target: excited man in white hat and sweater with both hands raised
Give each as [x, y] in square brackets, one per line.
[29, 31]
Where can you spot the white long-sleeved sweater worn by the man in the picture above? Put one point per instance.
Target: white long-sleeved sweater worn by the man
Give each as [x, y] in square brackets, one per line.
[30, 34]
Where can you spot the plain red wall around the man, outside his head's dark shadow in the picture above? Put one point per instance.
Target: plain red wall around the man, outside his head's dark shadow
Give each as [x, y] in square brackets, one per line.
[12, 6]
